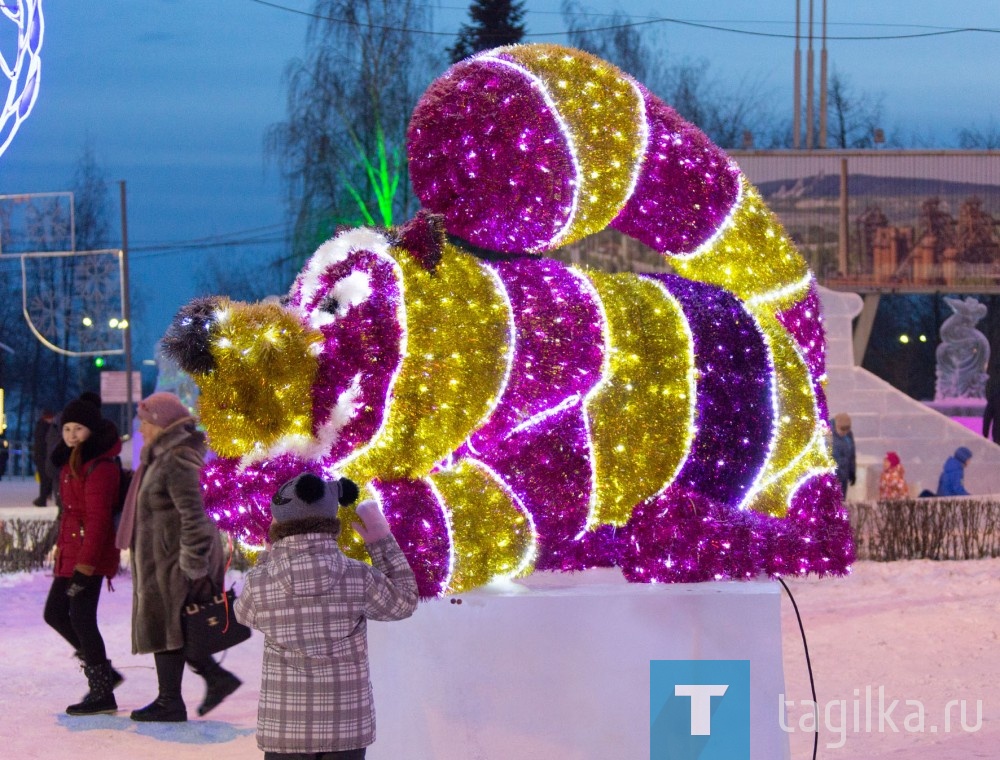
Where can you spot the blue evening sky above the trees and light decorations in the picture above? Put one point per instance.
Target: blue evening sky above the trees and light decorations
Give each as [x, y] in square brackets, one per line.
[175, 96]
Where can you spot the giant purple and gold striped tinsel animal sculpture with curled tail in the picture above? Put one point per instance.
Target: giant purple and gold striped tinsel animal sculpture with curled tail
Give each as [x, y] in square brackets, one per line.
[511, 412]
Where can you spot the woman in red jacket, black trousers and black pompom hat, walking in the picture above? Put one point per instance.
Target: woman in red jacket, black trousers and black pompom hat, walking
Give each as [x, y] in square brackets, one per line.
[85, 550]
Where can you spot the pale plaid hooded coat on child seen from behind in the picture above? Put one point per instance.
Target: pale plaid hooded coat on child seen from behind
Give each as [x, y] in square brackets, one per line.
[312, 604]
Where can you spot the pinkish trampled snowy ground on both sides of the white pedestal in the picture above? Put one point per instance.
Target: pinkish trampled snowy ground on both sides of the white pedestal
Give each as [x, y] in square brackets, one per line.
[923, 633]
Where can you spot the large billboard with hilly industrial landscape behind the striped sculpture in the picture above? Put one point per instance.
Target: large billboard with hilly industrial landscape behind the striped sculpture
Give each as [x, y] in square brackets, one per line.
[899, 221]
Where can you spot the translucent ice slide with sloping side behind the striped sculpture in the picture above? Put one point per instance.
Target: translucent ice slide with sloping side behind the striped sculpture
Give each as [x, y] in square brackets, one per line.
[886, 419]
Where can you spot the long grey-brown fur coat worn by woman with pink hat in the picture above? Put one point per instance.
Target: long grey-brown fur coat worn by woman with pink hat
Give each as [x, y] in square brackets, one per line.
[174, 541]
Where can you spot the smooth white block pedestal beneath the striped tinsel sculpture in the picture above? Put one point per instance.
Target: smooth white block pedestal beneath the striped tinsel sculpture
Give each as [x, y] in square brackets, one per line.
[560, 670]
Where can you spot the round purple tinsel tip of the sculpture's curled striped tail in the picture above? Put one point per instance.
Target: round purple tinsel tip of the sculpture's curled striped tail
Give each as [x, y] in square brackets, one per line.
[487, 153]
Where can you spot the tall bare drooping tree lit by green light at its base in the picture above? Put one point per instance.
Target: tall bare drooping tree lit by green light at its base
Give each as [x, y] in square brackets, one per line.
[342, 148]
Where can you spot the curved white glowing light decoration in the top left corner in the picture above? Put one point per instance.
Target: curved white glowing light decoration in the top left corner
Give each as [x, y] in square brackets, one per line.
[23, 70]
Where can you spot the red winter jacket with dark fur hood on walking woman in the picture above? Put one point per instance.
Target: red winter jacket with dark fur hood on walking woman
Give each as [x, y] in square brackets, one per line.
[86, 526]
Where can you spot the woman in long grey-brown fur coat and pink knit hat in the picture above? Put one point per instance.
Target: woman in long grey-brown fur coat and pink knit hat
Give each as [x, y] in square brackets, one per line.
[176, 554]
